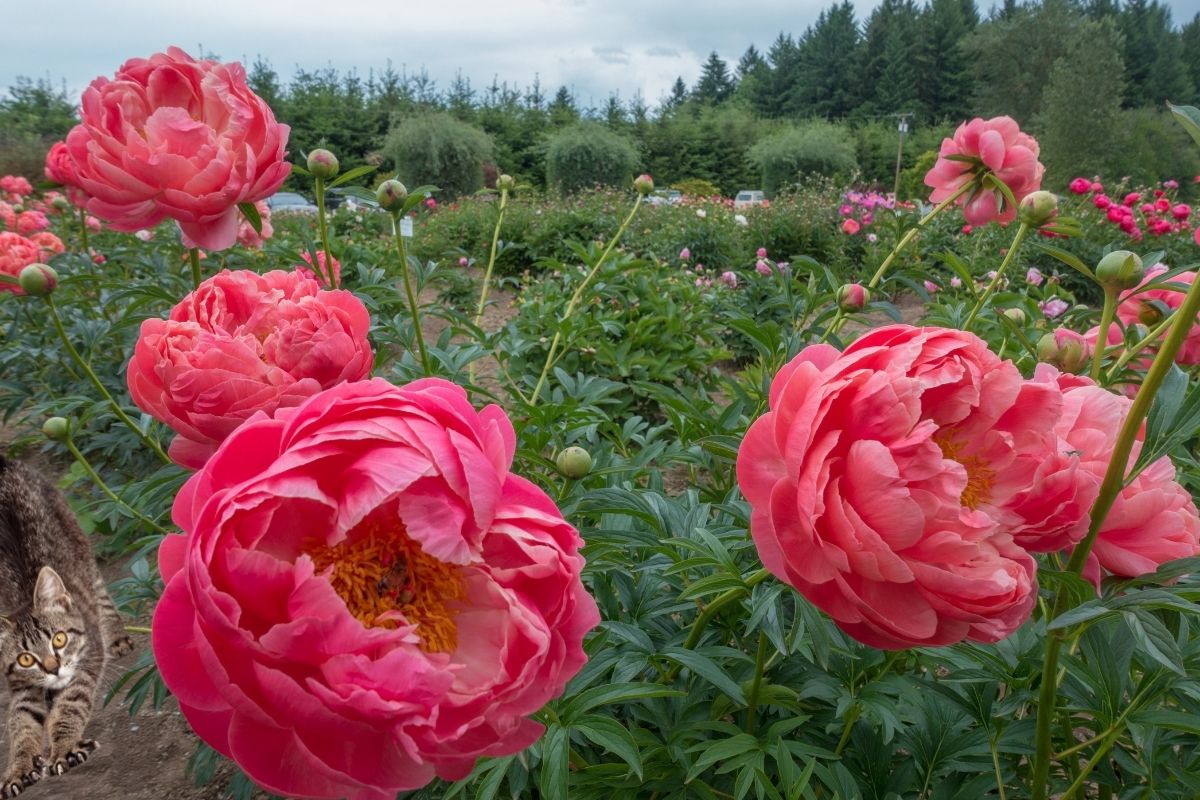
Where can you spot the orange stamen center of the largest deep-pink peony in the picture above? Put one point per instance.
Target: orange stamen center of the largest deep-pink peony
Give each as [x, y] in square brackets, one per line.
[386, 580]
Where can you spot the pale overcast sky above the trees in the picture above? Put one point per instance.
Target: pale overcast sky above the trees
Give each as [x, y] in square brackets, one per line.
[592, 46]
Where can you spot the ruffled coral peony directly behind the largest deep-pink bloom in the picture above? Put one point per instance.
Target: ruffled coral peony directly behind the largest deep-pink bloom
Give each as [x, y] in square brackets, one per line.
[244, 344]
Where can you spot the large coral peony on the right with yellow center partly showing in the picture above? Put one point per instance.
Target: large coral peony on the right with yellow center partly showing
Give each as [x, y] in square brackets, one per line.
[880, 484]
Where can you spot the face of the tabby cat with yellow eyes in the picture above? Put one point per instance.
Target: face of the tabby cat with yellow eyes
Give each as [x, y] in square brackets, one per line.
[44, 646]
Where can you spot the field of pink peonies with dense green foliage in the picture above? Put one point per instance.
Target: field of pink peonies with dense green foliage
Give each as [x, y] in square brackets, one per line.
[520, 496]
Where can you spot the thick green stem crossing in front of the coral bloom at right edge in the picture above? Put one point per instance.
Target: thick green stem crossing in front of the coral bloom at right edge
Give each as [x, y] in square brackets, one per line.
[1114, 478]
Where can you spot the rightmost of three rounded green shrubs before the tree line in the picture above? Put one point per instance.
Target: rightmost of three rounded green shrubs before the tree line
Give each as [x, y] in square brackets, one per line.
[812, 149]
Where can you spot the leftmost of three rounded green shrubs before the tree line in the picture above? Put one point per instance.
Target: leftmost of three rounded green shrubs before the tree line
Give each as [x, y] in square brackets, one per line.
[441, 151]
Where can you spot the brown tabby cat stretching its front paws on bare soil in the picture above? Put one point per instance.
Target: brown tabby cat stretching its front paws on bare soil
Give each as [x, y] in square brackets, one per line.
[58, 629]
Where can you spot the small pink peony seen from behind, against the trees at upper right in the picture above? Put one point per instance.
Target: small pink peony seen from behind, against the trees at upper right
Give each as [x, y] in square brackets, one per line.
[979, 149]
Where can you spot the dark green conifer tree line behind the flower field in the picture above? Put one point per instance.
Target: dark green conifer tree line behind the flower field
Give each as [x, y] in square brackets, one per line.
[1089, 77]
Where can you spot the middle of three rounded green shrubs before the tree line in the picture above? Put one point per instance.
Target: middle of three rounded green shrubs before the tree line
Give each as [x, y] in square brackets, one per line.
[587, 155]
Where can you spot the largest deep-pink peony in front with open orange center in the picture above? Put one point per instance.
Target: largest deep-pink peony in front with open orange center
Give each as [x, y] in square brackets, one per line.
[365, 598]
